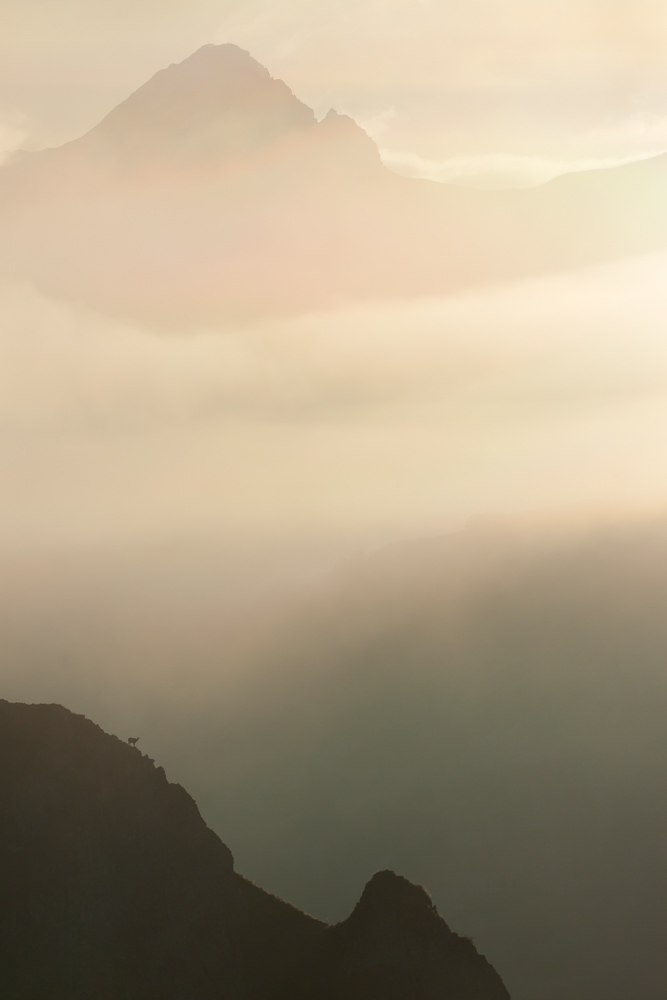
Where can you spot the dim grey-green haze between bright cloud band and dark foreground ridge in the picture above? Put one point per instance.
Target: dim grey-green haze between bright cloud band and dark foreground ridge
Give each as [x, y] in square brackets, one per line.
[484, 712]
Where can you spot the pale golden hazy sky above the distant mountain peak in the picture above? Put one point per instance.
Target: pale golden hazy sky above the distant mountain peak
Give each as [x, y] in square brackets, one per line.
[561, 81]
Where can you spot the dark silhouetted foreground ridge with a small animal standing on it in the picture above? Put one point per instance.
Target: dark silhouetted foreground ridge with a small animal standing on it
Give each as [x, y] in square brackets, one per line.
[113, 887]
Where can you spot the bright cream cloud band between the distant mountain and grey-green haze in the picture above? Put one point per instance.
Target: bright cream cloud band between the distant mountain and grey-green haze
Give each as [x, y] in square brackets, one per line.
[544, 395]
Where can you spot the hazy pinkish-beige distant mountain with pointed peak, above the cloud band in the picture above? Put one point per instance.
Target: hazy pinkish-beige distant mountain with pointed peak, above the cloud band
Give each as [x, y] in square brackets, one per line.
[212, 194]
